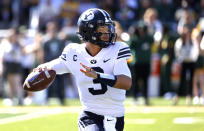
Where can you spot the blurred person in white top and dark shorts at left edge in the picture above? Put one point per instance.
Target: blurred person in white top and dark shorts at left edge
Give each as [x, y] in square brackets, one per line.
[12, 58]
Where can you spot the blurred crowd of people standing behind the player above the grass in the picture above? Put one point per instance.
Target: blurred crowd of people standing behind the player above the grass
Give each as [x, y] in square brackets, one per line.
[165, 37]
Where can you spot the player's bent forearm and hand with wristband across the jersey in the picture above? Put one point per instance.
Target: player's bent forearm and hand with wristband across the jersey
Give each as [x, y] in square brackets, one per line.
[116, 81]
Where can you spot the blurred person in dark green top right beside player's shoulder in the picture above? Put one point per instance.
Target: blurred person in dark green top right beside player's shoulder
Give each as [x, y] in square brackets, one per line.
[141, 43]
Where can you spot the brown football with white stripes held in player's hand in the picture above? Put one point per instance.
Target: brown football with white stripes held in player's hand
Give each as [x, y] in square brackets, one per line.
[37, 81]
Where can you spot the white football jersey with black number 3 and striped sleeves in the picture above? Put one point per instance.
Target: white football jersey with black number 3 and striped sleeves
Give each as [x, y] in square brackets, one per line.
[97, 97]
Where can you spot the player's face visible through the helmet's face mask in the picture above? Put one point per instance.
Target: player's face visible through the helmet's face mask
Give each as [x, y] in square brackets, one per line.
[104, 30]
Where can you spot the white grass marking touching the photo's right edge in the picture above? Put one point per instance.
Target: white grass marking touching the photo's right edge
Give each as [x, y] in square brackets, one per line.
[188, 120]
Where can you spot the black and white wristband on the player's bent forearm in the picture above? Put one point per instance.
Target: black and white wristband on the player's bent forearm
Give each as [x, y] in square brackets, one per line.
[106, 79]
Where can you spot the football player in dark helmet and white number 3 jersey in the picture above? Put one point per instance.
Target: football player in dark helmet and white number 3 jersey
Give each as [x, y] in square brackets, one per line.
[100, 67]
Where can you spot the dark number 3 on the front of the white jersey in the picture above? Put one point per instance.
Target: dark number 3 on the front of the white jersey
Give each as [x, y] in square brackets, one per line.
[103, 86]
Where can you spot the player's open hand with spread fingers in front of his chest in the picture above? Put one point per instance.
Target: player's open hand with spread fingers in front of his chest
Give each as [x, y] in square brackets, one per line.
[88, 71]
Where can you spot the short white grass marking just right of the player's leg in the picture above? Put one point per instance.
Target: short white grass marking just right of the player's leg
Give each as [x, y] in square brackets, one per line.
[140, 121]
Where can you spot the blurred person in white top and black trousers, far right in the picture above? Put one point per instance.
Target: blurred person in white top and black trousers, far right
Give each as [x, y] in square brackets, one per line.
[186, 51]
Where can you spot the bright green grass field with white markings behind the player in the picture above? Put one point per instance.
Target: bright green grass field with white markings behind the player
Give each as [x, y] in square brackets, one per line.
[160, 116]
